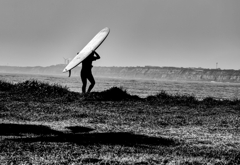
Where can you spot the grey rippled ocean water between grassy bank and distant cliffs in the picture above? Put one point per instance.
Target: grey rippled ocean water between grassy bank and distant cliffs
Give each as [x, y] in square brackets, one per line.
[140, 87]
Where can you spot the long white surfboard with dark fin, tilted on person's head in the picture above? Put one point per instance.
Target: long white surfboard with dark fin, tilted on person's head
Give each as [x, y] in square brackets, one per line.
[87, 50]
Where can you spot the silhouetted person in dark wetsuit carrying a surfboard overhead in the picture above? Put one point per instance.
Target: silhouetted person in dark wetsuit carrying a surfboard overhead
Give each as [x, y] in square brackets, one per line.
[86, 72]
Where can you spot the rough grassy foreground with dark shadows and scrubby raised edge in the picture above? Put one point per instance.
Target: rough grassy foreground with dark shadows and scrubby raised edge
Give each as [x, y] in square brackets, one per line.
[48, 124]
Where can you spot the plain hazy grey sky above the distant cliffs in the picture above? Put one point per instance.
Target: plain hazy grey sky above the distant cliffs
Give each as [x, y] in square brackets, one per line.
[181, 33]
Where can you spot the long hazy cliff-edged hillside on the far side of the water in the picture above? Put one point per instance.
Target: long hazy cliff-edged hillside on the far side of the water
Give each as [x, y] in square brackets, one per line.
[147, 72]
